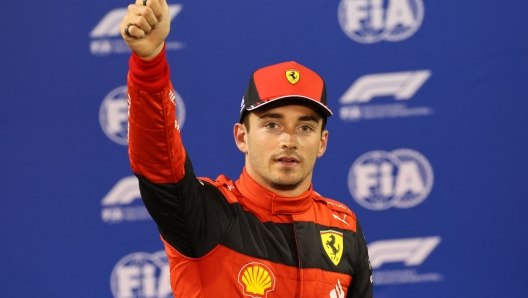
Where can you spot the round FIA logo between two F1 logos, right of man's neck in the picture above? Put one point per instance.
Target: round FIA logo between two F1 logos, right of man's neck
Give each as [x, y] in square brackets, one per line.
[379, 180]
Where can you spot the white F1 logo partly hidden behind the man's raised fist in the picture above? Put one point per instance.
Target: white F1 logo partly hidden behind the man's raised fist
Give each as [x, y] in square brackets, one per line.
[106, 38]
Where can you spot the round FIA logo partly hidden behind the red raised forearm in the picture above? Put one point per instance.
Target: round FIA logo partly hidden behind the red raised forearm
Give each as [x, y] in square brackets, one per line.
[113, 114]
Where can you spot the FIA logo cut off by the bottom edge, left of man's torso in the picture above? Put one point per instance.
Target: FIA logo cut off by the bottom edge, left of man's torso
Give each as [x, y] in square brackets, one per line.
[142, 275]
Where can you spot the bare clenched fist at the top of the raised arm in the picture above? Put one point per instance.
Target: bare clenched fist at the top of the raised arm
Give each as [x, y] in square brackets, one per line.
[146, 26]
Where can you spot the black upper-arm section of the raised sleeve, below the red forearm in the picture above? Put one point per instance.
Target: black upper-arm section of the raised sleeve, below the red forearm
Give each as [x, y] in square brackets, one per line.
[192, 216]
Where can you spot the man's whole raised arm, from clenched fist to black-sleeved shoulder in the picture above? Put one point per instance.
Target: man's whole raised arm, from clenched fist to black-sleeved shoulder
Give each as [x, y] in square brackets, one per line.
[191, 215]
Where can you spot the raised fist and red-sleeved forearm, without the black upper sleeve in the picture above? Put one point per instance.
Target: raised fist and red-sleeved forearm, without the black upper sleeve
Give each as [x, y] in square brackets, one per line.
[155, 147]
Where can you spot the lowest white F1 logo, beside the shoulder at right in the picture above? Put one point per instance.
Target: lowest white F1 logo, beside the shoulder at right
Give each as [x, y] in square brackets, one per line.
[411, 251]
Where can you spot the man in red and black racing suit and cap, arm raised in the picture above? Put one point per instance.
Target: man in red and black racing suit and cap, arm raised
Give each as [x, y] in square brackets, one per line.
[268, 234]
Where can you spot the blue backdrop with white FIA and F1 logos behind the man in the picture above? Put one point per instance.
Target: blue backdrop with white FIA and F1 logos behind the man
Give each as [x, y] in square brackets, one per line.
[427, 143]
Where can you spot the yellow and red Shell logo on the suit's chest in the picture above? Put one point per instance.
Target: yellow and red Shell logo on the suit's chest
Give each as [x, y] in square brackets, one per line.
[257, 280]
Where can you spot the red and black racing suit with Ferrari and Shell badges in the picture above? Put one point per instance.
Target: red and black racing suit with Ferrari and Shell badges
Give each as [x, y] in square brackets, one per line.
[229, 238]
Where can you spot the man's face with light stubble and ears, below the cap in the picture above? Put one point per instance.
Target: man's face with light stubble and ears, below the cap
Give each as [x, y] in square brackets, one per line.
[282, 145]
